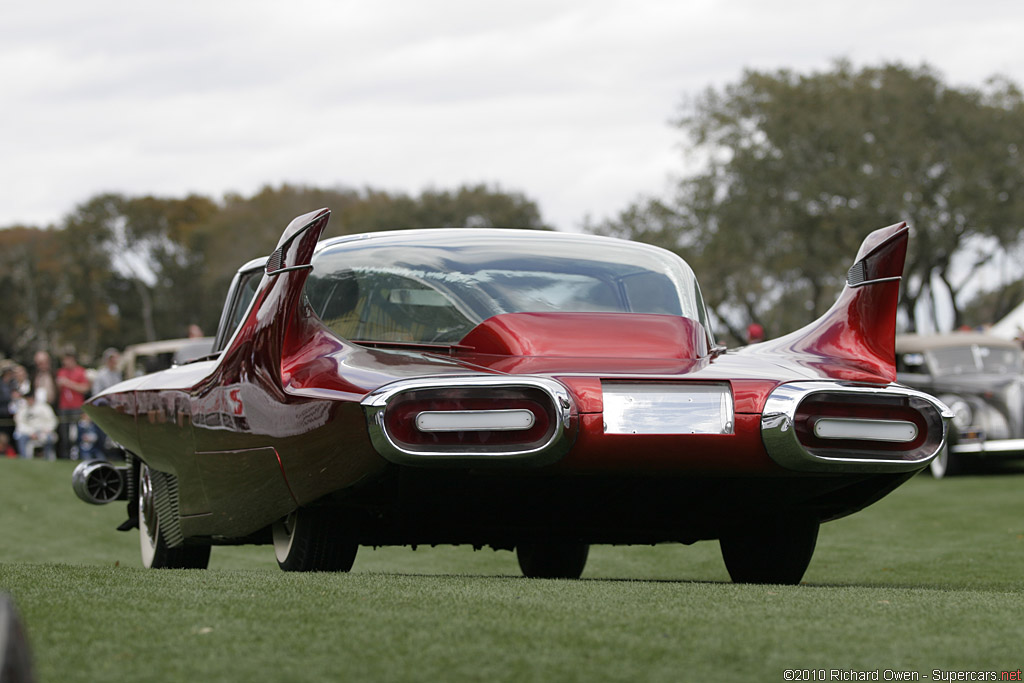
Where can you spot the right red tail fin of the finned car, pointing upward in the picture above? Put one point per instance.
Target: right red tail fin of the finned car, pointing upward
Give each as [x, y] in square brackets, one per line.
[857, 338]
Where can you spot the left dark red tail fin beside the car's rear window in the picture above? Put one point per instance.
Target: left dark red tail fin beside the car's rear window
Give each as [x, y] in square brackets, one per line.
[277, 309]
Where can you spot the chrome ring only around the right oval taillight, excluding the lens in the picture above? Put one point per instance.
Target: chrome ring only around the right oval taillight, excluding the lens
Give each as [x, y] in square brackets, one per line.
[780, 436]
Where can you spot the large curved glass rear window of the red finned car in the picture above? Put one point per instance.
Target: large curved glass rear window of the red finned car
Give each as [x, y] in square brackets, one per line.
[436, 286]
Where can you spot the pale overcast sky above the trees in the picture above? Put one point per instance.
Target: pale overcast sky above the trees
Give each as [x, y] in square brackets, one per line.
[566, 102]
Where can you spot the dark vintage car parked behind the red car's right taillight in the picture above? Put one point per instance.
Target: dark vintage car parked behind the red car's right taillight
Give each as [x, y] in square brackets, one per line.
[982, 379]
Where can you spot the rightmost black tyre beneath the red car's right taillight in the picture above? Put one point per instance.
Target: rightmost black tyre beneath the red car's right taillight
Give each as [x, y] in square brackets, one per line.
[777, 550]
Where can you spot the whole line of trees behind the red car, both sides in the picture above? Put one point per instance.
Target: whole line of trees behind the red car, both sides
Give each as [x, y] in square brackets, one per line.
[791, 172]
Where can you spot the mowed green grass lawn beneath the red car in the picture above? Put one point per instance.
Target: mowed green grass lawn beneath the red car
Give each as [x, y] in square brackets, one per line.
[929, 579]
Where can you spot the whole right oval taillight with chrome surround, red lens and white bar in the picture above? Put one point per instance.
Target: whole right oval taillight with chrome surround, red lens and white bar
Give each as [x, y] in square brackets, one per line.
[912, 428]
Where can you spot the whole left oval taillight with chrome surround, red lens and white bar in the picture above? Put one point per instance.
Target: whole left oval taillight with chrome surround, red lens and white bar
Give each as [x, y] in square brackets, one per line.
[416, 421]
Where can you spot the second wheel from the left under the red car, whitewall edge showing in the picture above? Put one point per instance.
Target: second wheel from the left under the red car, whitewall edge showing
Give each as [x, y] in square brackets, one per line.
[312, 540]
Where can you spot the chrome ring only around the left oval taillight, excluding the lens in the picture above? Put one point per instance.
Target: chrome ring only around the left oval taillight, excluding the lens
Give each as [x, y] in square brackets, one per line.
[563, 437]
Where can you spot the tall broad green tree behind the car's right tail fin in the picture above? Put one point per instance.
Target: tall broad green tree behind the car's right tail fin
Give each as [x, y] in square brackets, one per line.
[797, 168]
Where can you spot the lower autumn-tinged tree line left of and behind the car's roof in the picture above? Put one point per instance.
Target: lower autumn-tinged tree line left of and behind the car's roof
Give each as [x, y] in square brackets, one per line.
[123, 270]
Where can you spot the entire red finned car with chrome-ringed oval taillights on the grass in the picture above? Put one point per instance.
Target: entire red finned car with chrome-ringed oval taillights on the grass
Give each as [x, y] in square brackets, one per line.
[519, 390]
